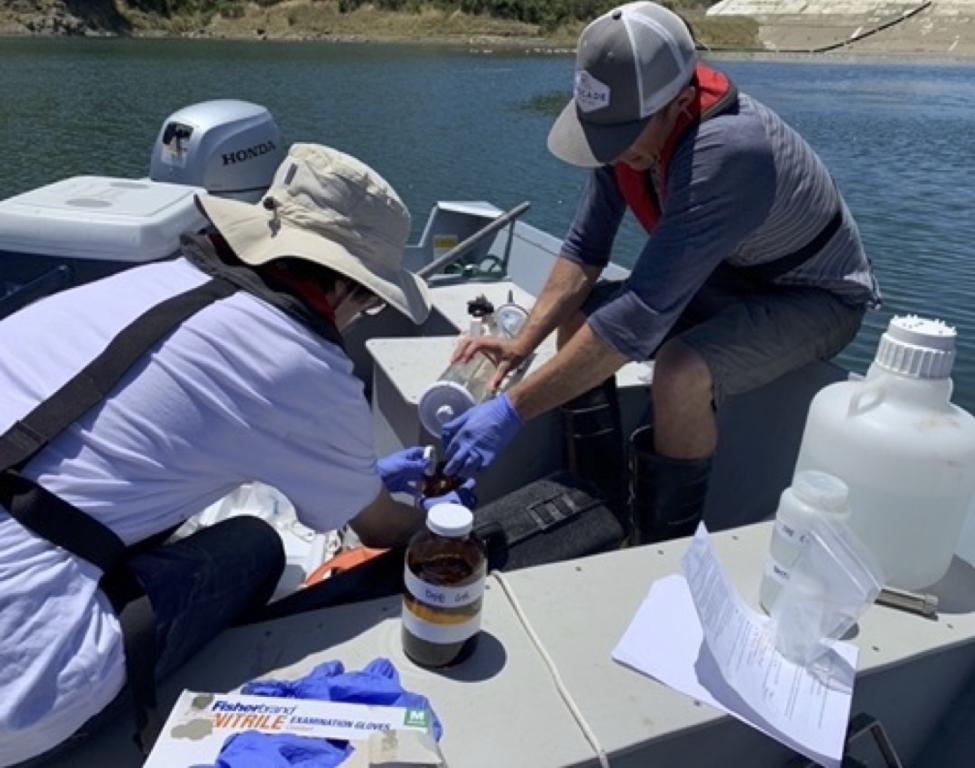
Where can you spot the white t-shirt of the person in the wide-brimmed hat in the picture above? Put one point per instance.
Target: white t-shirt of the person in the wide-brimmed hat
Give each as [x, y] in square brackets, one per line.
[239, 392]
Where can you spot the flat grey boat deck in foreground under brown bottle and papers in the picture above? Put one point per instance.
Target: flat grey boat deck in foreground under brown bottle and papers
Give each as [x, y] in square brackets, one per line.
[502, 707]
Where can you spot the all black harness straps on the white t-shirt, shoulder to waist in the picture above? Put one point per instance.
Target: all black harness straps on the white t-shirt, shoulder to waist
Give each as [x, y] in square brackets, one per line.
[64, 525]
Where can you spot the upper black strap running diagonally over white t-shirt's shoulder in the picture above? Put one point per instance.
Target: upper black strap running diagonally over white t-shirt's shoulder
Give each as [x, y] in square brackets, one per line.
[93, 383]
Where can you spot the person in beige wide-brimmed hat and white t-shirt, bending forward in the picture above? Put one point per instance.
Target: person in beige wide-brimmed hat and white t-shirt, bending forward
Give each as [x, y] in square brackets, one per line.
[133, 402]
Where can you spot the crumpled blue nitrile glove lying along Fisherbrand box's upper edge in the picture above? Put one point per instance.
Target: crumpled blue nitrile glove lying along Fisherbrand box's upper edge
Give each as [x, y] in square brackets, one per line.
[378, 683]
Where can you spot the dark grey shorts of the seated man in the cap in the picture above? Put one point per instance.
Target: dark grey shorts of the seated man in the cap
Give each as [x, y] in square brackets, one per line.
[750, 335]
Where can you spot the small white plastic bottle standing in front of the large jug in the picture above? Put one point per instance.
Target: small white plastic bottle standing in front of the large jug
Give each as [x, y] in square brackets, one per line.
[812, 495]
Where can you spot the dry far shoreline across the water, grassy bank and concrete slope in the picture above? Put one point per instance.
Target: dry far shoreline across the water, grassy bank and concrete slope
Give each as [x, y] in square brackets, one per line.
[302, 21]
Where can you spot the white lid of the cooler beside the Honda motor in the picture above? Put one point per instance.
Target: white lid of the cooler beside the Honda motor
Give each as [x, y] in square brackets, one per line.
[100, 218]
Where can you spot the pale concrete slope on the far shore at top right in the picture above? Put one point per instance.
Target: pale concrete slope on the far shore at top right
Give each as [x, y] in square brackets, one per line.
[940, 28]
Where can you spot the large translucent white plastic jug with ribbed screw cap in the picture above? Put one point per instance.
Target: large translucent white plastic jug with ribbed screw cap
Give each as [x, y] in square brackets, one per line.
[906, 453]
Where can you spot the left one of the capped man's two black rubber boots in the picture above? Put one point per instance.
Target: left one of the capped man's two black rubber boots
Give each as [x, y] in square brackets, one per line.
[594, 449]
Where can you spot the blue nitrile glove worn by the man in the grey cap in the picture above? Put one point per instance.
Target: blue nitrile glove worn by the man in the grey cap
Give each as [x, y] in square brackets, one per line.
[473, 439]
